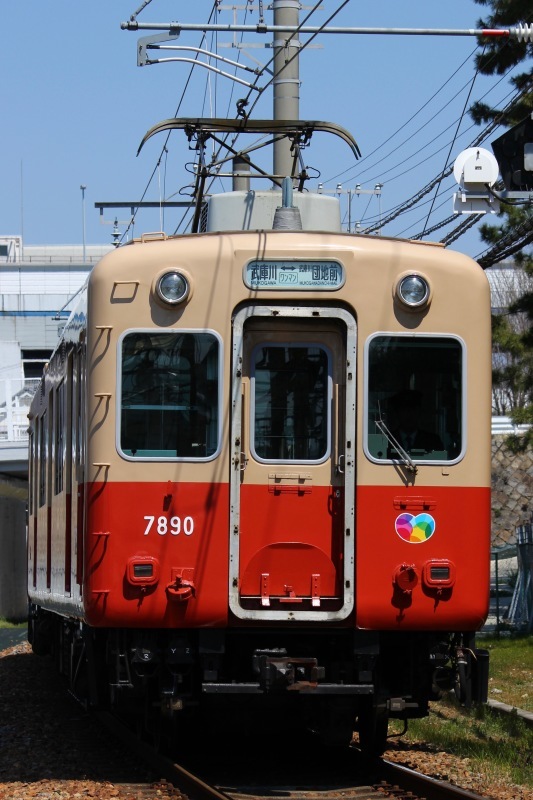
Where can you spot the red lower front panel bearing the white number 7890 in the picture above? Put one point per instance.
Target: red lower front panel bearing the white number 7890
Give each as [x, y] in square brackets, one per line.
[156, 555]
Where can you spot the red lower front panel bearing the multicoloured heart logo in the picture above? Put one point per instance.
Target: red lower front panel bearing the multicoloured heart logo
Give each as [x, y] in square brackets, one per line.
[422, 558]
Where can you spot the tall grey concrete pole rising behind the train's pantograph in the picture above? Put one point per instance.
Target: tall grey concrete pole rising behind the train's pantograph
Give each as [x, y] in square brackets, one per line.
[287, 77]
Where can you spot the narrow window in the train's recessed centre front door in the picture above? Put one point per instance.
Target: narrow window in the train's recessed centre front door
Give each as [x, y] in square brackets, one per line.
[290, 391]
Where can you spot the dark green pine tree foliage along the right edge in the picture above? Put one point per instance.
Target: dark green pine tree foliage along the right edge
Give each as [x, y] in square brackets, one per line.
[513, 329]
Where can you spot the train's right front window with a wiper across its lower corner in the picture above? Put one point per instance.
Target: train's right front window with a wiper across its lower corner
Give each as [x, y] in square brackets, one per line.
[414, 397]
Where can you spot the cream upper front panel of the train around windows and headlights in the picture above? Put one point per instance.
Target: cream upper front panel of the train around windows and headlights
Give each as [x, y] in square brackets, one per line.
[121, 297]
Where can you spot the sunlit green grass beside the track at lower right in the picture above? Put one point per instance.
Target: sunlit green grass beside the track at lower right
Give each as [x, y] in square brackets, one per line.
[497, 746]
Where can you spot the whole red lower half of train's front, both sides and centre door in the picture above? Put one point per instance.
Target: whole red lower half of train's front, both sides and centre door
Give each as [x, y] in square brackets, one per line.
[156, 555]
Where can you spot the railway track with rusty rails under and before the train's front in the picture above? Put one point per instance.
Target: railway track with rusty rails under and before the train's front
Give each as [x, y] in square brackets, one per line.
[226, 775]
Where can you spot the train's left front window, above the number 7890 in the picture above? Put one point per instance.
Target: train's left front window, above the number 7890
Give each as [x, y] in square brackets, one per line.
[170, 395]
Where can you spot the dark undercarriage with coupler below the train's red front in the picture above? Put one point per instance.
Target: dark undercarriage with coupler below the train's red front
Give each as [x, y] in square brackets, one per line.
[331, 683]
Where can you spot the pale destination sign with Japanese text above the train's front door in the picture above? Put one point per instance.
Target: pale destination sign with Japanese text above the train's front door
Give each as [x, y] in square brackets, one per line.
[291, 275]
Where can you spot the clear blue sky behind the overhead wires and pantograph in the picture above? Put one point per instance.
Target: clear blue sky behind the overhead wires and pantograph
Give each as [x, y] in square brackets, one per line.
[76, 106]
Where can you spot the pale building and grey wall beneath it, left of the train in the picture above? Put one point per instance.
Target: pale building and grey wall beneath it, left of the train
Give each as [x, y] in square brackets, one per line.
[37, 288]
